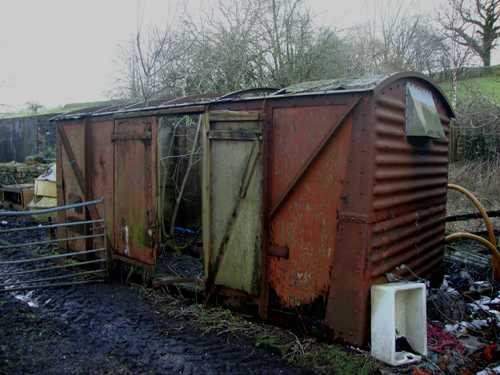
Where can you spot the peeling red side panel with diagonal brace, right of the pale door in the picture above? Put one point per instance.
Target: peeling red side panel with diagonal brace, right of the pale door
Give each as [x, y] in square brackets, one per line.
[306, 221]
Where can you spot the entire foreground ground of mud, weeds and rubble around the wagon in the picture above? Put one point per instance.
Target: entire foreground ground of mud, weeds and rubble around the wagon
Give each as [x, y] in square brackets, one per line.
[112, 328]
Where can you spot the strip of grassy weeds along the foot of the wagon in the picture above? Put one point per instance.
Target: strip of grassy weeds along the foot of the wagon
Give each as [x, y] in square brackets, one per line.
[306, 352]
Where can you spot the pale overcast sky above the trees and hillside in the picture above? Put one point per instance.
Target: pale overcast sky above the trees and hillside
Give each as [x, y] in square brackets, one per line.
[55, 52]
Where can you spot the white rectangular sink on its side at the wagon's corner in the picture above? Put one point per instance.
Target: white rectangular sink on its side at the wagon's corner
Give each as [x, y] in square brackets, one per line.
[398, 309]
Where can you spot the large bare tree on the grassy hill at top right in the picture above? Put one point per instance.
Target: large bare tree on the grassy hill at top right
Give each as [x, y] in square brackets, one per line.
[477, 25]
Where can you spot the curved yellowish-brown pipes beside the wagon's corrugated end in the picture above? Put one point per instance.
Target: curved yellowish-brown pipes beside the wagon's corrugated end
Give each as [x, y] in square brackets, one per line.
[491, 243]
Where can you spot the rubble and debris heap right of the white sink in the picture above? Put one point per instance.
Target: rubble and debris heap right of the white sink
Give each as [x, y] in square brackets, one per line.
[463, 319]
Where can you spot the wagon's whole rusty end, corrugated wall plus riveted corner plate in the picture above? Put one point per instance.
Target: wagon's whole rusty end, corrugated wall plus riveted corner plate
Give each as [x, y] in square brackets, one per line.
[393, 209]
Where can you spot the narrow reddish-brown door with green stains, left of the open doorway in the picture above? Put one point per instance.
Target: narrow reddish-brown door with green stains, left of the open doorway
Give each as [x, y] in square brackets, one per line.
[134, 193]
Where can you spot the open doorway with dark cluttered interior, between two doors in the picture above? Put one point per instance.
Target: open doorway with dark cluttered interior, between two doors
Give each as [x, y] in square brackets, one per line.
[179, 200]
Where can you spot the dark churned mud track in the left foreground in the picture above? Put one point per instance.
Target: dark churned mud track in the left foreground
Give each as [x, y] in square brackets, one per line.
[111, 328]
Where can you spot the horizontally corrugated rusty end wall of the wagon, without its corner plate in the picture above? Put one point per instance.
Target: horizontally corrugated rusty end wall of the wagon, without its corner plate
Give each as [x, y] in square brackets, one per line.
[409, 196]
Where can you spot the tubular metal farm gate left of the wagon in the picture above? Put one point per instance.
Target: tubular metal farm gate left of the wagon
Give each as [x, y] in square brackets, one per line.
[35, 251]
